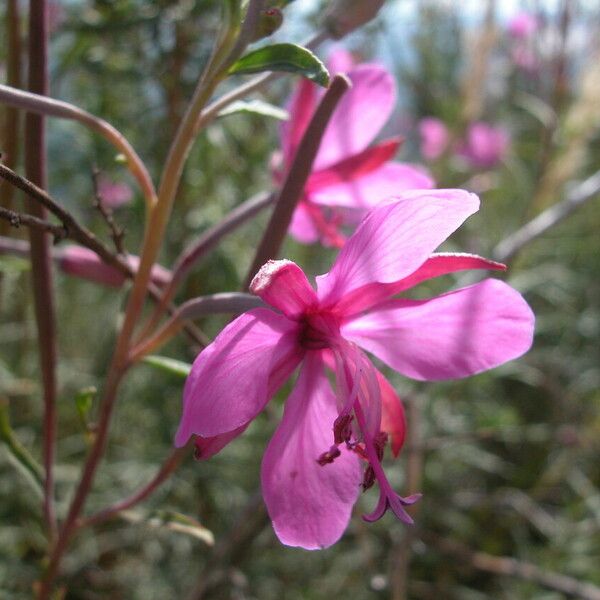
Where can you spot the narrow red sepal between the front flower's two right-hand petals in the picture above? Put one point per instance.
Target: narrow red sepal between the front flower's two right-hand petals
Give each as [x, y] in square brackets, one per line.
[436, 265]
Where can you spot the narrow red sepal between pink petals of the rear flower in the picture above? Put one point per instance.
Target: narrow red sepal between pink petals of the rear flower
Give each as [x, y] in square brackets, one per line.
[354, 167]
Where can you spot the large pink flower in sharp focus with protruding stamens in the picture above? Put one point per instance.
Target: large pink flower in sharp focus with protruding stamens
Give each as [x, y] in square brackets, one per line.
[311, 470]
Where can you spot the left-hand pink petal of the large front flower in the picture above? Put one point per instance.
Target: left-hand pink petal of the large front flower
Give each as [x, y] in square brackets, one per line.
[234, 377]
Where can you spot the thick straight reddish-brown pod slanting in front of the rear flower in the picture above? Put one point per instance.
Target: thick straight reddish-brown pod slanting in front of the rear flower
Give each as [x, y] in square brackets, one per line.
[299, 172]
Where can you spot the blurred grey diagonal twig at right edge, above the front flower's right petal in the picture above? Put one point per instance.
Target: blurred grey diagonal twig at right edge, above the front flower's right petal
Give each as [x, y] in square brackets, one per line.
[515, 242]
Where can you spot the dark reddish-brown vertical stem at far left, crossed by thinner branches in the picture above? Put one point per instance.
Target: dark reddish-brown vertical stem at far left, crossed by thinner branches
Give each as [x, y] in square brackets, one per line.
[35, 167]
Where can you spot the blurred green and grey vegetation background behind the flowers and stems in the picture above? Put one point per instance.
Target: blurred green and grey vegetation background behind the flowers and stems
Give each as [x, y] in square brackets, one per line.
[508, 461]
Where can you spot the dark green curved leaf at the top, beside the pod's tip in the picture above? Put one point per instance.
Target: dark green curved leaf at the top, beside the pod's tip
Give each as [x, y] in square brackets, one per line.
[283, 57]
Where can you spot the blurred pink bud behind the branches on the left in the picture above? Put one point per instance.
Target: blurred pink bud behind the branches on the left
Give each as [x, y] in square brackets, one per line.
[82, 262]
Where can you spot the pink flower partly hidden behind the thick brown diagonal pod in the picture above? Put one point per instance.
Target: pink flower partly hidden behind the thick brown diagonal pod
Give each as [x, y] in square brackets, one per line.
[349, 177]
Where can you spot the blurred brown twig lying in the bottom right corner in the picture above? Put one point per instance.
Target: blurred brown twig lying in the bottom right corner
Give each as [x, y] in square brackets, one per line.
[511, 567]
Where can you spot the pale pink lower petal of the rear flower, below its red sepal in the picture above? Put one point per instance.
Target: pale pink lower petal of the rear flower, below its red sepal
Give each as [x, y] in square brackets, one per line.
[370, 189]
